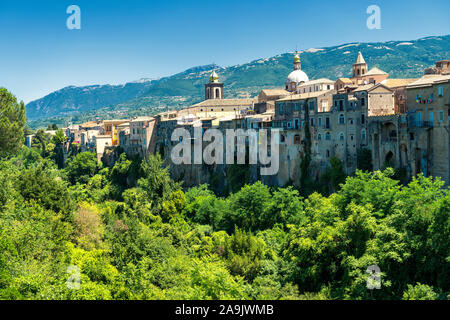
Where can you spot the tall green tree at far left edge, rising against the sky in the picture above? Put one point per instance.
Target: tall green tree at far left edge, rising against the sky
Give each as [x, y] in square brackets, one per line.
[12, 123]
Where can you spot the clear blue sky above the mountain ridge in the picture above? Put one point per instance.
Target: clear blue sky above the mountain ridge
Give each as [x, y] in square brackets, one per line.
[126, 40]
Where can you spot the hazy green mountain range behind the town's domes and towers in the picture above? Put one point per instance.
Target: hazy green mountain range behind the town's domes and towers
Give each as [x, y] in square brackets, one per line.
[401, 59]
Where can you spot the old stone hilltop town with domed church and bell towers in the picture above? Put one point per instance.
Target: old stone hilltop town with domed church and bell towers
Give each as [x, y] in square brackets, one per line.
[402, 123]
